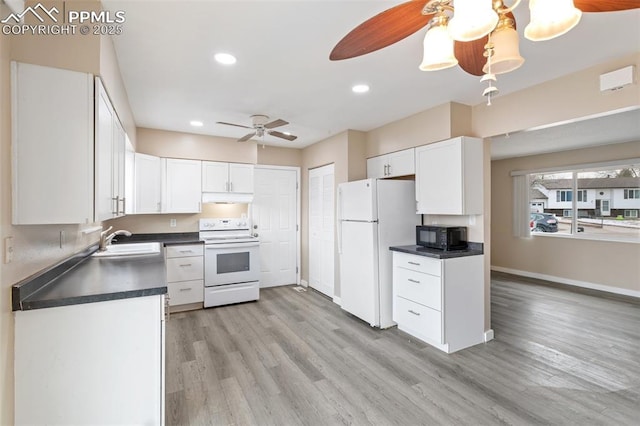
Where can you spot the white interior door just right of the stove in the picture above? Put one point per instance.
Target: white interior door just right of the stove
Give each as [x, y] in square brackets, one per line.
[275, 213]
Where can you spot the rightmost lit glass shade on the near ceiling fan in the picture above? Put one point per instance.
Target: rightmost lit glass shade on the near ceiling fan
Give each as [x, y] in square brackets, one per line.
[551, 18]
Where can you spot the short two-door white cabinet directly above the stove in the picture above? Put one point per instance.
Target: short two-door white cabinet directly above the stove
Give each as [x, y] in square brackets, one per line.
[227, 177]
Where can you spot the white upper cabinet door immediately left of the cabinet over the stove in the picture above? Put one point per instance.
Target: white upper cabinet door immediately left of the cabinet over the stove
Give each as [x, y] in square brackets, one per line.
[182, 185]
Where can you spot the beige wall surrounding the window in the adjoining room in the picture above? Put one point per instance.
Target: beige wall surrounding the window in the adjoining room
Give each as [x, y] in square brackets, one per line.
[604, 263]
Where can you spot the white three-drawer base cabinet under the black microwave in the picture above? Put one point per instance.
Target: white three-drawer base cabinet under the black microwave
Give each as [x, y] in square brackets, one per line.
[440, 301]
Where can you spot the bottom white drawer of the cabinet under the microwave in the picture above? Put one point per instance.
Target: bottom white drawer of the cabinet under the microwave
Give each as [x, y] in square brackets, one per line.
[418, 320]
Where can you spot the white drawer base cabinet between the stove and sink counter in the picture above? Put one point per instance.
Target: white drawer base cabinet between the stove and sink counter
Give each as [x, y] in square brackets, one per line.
[185, 275]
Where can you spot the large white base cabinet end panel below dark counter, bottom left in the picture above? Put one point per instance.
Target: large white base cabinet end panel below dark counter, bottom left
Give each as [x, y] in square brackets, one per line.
[93, 363]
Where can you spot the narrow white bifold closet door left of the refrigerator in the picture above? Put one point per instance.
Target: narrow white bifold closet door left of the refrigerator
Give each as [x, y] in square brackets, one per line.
[321, 229]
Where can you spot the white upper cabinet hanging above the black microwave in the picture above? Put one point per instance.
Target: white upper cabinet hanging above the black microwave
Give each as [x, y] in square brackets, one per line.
[449, 177]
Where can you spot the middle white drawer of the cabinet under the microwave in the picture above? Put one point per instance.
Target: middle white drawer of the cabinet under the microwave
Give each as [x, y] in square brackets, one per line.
[421, 288]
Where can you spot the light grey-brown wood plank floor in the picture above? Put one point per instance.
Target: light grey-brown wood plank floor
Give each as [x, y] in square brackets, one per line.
[559, 357]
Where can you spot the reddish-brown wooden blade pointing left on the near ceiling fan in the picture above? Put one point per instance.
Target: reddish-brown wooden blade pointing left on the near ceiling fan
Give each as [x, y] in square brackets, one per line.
[382, 30]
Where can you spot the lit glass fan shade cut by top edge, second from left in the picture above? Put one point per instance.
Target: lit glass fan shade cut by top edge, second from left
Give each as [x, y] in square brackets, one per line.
[472, 19]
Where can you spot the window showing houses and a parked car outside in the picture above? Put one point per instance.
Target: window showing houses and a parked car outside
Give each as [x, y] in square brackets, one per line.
[601, 203]
